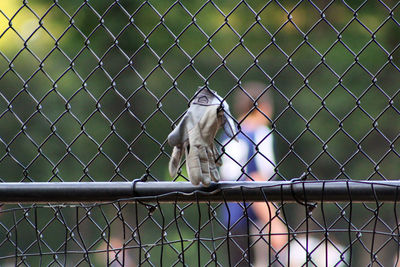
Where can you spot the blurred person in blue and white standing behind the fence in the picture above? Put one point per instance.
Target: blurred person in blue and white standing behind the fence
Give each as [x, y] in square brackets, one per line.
[253, 152]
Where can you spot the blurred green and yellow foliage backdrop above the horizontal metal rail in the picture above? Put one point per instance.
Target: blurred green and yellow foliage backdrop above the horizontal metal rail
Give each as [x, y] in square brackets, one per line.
[89, 90]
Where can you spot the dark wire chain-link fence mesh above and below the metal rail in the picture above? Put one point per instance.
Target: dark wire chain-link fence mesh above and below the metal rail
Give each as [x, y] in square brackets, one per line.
[89, 91]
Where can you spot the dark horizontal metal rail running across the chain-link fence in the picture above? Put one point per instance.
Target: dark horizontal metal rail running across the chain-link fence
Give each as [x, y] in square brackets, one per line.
[303, 191]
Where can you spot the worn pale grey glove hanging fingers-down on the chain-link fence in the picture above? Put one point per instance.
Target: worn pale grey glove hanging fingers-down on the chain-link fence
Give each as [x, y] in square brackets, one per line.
[194, 137]
